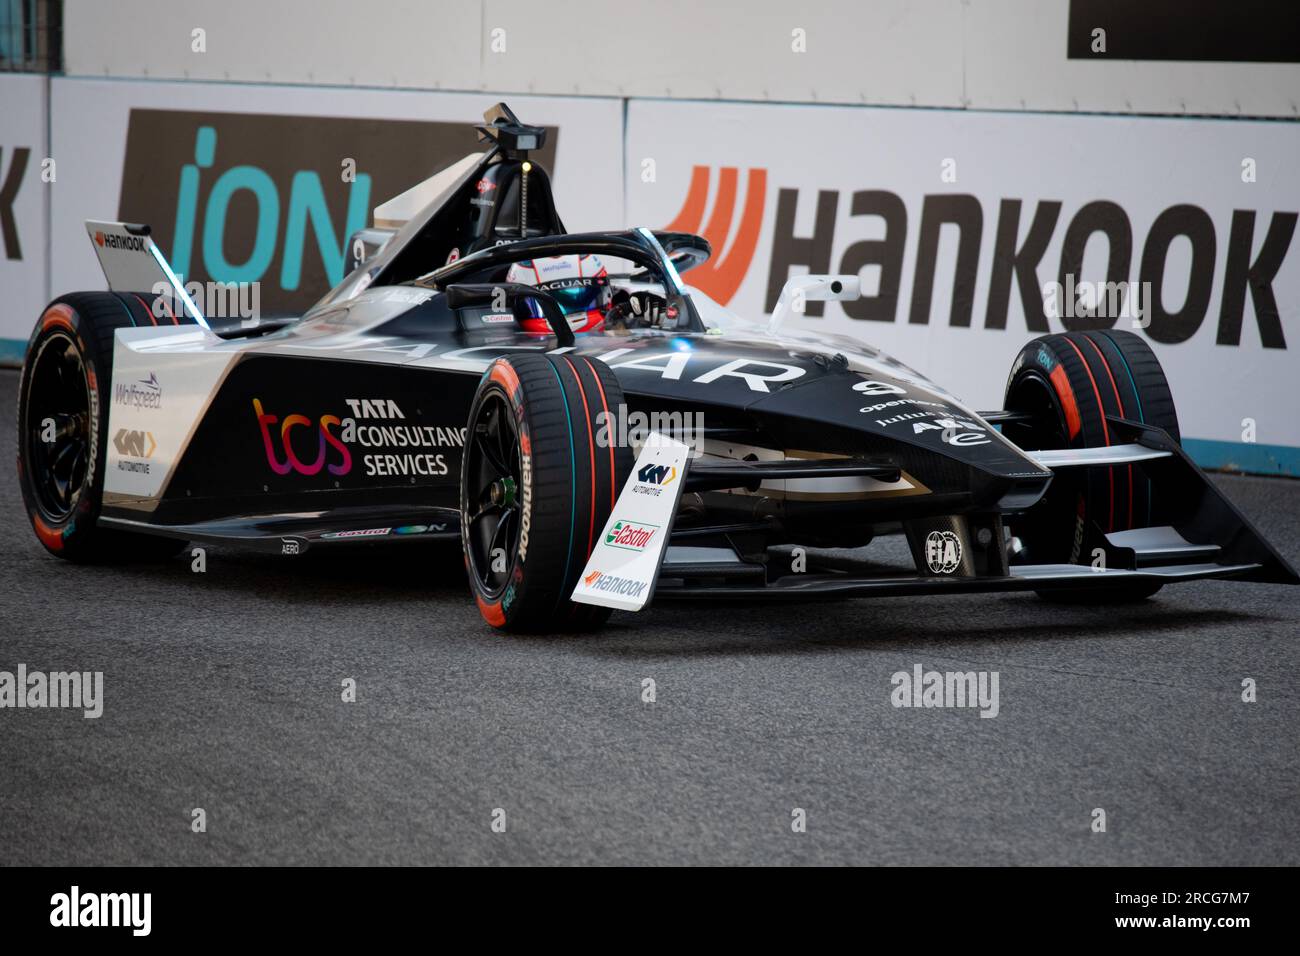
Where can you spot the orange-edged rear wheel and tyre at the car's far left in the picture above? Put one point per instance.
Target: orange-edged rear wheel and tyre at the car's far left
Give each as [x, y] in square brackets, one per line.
[63, 429]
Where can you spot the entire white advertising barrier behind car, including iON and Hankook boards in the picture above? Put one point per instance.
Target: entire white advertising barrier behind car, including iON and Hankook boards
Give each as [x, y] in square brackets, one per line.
[972, 231]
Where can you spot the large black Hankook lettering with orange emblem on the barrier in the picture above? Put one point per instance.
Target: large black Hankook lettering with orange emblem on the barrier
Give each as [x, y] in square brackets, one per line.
[1177, 312]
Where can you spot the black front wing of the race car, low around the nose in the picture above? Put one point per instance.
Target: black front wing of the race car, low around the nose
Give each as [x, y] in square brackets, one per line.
[1208, 538]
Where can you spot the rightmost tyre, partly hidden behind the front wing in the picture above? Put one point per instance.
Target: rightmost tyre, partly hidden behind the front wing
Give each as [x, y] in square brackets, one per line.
[1068, 383]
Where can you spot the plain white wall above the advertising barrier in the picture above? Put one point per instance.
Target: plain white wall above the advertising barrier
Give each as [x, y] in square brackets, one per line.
[977, 54]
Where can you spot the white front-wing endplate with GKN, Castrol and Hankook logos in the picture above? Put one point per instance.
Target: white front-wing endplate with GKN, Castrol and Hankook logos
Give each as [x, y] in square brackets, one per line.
[625, 564]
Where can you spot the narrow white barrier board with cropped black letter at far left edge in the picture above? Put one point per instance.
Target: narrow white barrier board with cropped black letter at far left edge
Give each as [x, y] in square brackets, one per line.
[24, 188]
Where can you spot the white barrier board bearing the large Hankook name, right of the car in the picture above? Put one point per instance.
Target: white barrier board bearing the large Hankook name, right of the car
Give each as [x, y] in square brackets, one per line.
[947, 215]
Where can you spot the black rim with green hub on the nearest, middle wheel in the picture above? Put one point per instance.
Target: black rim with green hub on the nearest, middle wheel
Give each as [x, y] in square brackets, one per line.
[493, 483]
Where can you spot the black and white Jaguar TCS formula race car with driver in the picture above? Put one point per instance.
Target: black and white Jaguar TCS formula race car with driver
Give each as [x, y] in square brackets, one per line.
[675, 451]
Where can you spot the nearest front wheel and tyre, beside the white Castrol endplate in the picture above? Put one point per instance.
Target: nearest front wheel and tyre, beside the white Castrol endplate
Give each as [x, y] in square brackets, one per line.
[538, 486]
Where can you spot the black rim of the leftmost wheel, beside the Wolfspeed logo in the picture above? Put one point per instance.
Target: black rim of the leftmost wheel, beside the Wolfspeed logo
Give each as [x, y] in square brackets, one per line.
[58, 427]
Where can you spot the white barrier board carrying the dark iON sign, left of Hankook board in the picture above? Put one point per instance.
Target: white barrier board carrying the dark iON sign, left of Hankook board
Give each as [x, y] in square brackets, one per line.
[266, 184]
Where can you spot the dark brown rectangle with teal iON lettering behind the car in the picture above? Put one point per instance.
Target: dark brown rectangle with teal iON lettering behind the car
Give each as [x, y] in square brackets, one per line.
[241, 198]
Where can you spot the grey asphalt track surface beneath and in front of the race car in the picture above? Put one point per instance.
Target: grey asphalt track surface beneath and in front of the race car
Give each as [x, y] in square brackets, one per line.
[223, 691]
